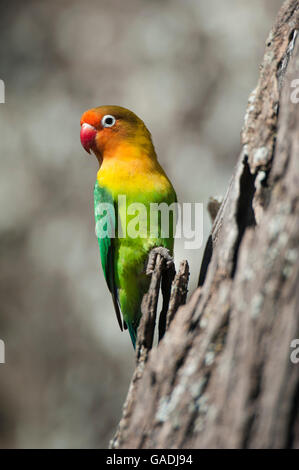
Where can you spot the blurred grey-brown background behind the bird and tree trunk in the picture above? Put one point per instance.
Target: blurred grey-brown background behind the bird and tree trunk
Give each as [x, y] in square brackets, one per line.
[186, 67]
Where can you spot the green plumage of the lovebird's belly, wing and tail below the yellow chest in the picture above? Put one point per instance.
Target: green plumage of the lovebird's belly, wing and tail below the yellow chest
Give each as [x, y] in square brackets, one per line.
[124, 259]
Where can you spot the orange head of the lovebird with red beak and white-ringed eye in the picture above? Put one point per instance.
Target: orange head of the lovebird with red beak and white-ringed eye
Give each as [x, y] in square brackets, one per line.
[106, 129]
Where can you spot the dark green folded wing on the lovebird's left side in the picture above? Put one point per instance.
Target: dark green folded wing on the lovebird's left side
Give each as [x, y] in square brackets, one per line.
[105, 218]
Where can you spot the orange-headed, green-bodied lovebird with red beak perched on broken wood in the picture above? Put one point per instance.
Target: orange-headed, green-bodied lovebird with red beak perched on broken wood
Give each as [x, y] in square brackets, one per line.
[128, 171]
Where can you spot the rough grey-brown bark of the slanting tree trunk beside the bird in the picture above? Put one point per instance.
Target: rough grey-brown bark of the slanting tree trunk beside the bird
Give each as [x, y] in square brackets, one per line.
[221, 377]
